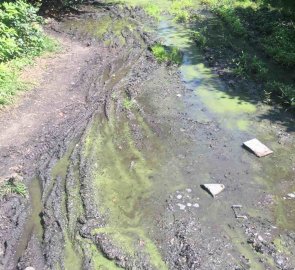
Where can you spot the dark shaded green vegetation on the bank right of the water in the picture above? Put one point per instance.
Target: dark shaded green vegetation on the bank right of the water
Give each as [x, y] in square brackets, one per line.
[253, 39]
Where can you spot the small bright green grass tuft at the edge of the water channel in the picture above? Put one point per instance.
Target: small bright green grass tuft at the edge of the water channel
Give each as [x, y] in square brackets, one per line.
[165, 54]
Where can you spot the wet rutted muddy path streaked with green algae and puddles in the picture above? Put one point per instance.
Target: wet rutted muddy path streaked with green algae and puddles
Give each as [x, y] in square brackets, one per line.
[114, 180]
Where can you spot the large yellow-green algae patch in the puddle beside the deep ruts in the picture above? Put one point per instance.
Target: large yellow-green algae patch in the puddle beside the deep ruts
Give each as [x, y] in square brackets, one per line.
[122, 184]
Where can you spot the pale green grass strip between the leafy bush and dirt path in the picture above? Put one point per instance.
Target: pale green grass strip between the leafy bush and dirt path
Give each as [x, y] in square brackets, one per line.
[10, 83]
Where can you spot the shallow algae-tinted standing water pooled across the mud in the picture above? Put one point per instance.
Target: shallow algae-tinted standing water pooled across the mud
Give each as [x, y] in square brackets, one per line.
[132, 182]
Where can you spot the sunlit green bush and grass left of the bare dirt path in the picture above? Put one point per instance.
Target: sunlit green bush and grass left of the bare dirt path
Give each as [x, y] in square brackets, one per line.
[21, 39]
